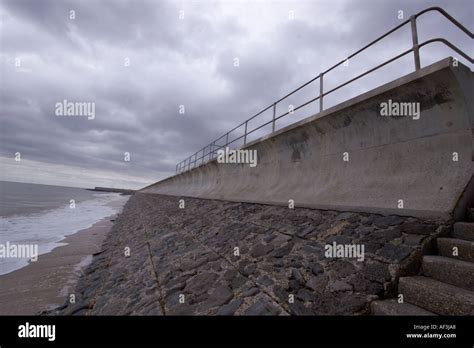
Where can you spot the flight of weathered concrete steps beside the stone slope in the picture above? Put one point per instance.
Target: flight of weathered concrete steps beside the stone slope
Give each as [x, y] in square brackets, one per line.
[444, 284]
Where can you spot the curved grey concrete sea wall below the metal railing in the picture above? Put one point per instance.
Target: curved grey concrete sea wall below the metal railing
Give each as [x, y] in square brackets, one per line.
[390, 158]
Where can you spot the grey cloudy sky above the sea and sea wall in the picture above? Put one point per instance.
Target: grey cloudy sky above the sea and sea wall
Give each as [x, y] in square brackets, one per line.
[46, 56]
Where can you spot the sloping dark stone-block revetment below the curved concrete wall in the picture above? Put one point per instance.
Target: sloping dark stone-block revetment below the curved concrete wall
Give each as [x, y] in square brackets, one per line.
[191, 252]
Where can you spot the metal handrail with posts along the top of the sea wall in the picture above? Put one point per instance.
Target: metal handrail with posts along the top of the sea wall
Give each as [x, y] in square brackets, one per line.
[188, 163]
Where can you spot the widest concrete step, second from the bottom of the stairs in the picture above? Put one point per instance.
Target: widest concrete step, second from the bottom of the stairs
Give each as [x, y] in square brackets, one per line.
[436, 297]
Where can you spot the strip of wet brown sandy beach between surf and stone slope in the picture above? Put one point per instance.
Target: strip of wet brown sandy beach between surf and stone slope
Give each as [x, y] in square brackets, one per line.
[46, 284]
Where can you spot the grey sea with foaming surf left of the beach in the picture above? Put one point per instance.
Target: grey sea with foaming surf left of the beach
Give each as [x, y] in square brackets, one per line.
[43, 215]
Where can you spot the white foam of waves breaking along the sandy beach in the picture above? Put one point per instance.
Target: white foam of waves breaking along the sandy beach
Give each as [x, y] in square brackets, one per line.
[47, 229]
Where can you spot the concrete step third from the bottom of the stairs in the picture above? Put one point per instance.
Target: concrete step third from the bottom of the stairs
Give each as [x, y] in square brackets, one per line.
[448, 270]
